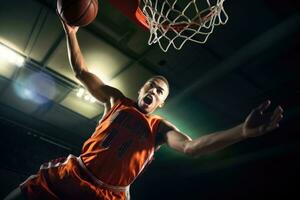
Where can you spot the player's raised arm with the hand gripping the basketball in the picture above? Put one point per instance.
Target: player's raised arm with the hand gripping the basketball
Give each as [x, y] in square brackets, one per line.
[94, 84]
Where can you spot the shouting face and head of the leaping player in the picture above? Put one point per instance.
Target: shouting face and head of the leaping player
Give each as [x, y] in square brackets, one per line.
[152, 95]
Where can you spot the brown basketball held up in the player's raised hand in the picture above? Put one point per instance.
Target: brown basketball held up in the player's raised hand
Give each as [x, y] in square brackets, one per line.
[77, 12]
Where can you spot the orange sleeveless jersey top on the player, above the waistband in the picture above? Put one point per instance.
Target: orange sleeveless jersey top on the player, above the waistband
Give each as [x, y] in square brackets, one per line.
[122, 144]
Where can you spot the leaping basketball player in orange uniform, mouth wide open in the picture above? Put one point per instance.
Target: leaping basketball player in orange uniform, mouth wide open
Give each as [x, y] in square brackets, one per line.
[125, 140]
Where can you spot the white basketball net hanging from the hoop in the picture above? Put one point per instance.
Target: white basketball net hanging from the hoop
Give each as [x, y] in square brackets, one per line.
[174, 22]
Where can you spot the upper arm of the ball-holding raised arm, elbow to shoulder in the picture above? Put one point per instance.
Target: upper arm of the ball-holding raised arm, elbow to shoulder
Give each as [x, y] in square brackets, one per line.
[98, 88]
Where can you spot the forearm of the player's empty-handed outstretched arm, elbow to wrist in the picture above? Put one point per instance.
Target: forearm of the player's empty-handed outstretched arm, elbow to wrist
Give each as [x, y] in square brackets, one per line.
[214, 141]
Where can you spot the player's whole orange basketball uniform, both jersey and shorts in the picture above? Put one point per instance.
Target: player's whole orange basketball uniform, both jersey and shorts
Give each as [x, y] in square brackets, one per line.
[122, 144]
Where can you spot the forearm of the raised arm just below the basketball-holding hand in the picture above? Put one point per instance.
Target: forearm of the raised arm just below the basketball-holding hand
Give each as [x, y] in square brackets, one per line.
[74, 54]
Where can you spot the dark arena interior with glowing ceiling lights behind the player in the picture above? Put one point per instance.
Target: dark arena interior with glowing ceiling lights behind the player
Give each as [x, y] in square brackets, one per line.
[45, 113]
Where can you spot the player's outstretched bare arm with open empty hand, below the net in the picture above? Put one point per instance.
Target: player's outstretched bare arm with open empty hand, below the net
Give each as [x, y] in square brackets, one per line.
[257, 123]
